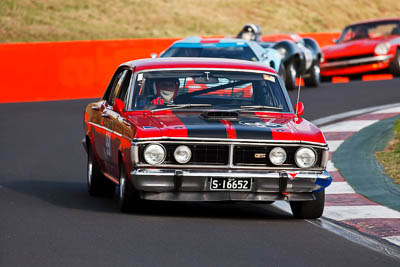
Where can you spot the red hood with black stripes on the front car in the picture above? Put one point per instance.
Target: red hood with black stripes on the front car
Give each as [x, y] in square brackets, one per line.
[253, 126]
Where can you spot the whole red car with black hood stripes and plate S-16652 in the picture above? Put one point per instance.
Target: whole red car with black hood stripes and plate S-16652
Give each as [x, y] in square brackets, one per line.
[201, 129]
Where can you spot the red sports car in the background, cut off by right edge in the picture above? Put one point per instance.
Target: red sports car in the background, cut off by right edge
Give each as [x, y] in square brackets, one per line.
[364, 47]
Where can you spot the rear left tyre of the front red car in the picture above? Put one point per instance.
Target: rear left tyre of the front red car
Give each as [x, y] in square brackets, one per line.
[98, 184]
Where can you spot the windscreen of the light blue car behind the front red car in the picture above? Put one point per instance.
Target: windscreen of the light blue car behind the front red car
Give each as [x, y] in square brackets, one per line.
[233, 52]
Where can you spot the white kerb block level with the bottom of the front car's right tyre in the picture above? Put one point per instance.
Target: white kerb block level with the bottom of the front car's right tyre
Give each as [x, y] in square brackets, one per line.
[341, 213]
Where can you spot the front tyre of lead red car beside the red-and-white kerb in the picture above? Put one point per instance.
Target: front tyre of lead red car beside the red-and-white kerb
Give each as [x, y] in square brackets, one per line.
[311, 209]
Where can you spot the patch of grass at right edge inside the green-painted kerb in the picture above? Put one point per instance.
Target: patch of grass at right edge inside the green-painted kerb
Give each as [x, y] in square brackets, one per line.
[390, 157]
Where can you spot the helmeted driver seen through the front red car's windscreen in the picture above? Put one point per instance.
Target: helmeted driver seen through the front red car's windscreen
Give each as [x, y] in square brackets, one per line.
[167, 89]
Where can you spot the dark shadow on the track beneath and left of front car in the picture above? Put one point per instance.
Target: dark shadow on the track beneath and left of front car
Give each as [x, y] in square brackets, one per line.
[73, 195]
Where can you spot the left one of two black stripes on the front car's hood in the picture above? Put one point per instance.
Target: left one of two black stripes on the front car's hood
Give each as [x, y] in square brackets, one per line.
[196, 126]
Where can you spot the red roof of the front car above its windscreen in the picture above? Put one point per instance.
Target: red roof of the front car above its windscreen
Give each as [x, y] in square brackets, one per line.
[196, 62]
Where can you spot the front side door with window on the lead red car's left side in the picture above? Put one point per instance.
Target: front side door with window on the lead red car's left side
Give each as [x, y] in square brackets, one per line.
[111, 119]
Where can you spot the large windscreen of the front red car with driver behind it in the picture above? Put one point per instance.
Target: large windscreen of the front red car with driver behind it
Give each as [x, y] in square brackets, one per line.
[208, 88]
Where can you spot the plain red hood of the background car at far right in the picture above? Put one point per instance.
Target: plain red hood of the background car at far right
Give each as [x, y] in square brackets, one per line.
[351, 48]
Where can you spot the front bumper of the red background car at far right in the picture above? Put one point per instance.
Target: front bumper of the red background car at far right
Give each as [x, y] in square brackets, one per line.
[355, 66]
